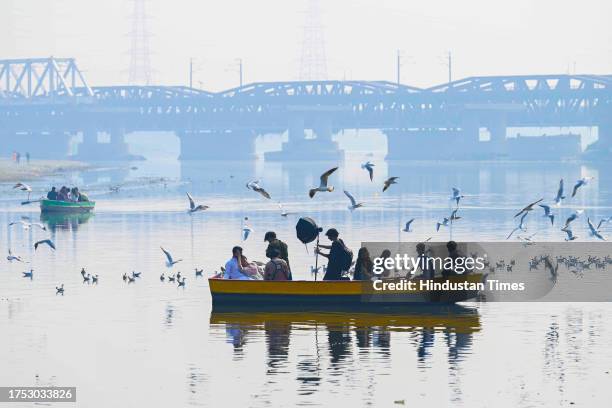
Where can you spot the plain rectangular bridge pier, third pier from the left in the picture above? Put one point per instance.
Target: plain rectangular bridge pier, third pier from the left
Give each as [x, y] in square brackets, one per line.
[218, 145]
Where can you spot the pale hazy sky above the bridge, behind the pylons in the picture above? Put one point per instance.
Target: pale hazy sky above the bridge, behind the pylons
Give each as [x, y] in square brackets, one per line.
[486, 37]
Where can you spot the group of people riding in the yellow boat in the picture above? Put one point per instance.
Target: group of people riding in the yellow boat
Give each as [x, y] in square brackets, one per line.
[339, 267]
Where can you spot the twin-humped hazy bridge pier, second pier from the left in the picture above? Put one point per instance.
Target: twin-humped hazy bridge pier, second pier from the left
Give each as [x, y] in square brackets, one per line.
[114, 149]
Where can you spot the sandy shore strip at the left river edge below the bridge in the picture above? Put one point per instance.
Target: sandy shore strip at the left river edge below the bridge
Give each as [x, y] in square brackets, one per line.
[10, 171]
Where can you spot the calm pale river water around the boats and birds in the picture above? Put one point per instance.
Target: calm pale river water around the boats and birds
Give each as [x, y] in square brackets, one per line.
[151, 343]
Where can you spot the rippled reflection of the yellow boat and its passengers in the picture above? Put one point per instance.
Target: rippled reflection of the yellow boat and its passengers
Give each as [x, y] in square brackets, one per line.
[339, 337]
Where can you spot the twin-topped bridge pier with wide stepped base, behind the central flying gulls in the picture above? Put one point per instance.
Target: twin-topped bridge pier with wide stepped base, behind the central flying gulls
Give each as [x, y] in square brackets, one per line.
[322, 147]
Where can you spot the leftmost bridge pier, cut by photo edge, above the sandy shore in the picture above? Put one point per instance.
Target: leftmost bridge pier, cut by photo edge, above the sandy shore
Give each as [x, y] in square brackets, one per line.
[40, 145]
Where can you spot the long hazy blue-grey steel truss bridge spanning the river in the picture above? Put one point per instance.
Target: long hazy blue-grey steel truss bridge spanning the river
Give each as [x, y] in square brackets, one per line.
[52, 95]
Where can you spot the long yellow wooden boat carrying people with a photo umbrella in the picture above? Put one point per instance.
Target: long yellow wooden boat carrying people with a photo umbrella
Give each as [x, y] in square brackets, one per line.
[351, 293]
